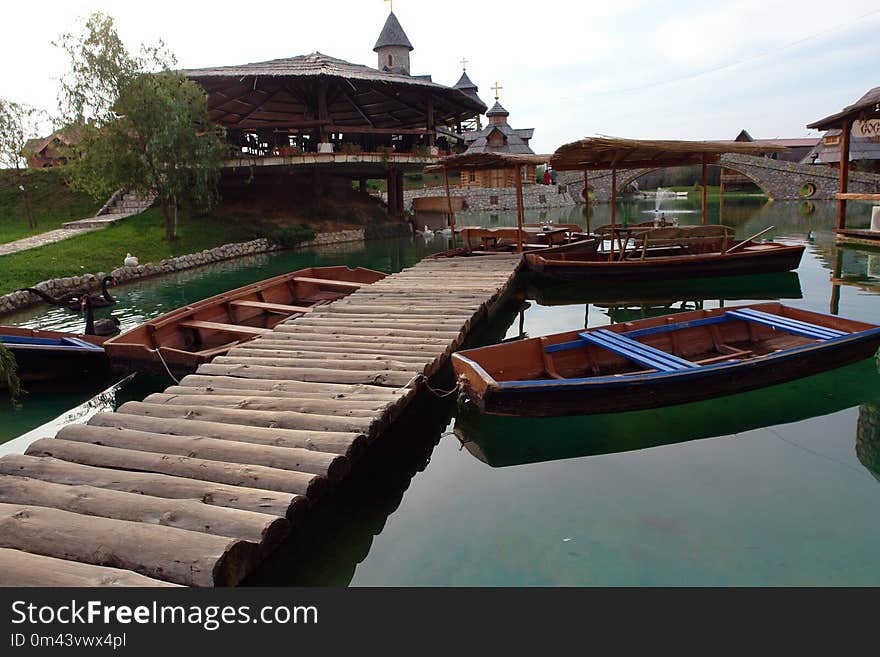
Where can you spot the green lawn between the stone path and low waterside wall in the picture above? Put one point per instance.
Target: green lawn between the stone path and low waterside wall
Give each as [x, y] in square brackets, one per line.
[103, 250]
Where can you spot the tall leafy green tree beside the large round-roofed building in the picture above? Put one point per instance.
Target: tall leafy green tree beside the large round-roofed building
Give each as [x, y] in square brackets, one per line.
[143, 127]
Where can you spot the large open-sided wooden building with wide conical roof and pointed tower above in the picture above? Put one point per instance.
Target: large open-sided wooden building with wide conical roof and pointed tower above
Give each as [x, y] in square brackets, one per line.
[335, 120]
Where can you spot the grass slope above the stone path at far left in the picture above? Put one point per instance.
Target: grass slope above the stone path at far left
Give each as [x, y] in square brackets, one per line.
[52, 202]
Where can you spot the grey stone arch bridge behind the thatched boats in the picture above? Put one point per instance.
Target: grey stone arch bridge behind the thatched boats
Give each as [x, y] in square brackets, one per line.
[781, 181]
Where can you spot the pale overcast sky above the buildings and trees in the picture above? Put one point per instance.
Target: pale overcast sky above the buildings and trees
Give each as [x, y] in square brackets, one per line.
[674, 69]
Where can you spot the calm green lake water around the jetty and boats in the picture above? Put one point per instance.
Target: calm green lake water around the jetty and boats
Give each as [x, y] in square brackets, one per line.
[778, 486]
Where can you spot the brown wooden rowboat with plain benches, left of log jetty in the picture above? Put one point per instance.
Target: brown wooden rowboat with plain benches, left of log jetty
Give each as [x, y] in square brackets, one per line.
[183, 339]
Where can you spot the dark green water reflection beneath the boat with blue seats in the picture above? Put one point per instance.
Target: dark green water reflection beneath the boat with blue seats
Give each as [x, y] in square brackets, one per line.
[505, 441]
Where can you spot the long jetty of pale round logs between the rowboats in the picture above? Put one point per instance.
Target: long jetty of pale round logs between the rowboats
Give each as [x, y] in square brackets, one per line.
[196, 485]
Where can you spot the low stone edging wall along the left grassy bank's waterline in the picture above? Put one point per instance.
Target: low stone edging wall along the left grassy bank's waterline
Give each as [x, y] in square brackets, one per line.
[92, 282]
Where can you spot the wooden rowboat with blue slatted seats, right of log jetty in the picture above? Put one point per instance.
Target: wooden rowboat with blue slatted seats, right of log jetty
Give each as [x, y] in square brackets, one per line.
[660, 361]
